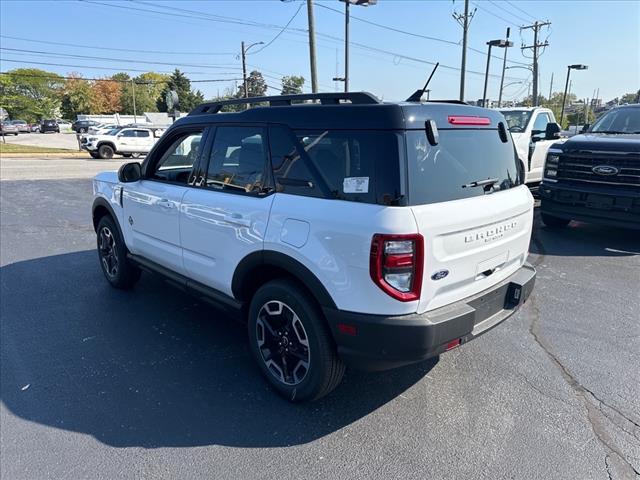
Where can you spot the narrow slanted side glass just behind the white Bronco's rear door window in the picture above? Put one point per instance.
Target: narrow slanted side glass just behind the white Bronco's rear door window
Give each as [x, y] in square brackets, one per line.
[290, 171]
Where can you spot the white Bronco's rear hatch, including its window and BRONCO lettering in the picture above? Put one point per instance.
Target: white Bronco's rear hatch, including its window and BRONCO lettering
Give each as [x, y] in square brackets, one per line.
[468, 203]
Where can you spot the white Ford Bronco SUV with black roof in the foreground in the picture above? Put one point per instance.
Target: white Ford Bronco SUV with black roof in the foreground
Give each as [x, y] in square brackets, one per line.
[343, 232]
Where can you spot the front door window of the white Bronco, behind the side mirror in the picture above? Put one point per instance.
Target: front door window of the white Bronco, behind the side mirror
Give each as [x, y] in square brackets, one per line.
[177, 161]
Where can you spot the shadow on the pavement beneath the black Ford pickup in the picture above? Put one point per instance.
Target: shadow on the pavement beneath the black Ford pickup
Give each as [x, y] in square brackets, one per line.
[584, 240]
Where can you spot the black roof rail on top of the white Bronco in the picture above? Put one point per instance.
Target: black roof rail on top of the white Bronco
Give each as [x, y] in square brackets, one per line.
[360, 98]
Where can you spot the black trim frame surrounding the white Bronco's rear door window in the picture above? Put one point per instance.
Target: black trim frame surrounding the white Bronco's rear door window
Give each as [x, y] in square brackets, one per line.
[206, 159]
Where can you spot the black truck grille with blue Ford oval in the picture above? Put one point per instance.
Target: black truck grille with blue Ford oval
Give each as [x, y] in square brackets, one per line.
[579, 168]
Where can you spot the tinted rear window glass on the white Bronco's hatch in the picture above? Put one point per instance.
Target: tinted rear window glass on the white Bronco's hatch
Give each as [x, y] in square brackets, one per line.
[443, 172]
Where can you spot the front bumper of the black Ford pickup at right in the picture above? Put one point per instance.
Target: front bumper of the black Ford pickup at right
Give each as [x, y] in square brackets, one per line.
[594, 204]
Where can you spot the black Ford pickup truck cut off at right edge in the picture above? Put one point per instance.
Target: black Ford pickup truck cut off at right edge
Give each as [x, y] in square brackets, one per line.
[595, 176]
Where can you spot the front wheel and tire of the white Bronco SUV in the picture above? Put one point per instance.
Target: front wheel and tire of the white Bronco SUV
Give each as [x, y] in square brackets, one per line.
[112, 254]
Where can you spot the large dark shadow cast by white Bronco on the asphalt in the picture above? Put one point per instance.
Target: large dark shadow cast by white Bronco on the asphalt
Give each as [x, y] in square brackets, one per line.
[152, 367]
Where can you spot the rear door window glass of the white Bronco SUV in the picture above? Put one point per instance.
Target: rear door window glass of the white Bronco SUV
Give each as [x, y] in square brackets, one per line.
[238, 160]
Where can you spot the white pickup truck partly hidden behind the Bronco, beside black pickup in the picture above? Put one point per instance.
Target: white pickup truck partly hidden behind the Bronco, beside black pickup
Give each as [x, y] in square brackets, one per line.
[534, 130]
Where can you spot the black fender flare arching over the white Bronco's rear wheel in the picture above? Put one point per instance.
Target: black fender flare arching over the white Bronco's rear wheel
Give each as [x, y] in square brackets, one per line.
[266, 258]
